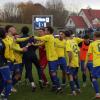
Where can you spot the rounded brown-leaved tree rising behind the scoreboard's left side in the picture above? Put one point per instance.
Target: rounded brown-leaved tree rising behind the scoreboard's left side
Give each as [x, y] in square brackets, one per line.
[28, 9]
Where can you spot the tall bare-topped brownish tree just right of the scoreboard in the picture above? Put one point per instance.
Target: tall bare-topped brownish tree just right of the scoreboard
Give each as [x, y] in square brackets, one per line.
[56, 8]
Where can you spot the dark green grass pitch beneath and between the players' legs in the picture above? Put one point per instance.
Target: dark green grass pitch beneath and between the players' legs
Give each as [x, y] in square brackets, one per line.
[25, 93]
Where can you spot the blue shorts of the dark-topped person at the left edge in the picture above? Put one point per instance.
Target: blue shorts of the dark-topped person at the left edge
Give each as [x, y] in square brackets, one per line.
[5, 72]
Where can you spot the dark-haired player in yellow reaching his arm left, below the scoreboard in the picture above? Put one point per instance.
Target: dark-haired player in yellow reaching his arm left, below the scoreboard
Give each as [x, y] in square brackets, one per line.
[51, 56]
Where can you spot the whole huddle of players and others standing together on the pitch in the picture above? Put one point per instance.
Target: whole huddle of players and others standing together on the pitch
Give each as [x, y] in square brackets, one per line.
[64, 50]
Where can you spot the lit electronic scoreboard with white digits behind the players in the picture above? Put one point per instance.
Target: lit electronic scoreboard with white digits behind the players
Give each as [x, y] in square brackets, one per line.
[41, 21]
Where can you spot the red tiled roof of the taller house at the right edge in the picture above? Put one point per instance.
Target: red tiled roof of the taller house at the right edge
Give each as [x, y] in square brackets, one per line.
[91, 14]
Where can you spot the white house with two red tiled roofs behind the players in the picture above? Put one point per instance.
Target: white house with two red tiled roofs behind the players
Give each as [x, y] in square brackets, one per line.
[87, 18]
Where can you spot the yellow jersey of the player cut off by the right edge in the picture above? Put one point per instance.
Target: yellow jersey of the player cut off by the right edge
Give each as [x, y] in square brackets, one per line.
[94, 49]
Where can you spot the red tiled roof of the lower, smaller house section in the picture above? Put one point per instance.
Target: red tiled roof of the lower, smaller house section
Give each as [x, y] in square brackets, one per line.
[78, 21]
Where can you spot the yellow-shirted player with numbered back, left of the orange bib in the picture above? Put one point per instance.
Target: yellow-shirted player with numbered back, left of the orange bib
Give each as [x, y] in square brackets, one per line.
[72, 50]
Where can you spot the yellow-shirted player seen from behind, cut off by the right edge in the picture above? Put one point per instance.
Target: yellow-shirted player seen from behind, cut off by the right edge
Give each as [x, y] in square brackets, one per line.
[94, 49]
